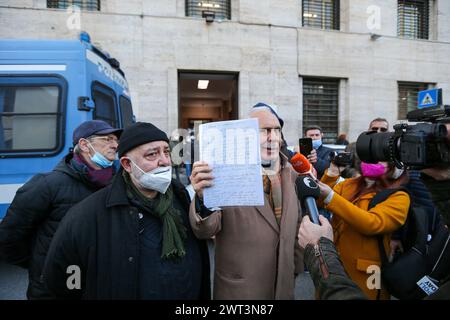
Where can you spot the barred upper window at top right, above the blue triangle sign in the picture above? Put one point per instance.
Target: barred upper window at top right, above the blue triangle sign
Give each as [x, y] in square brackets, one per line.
[413, 16]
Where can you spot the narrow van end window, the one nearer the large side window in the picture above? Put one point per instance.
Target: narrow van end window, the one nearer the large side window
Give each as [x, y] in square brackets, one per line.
[104, 105]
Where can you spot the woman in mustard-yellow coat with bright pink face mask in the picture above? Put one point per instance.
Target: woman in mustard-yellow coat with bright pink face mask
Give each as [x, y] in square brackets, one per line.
[355, 227]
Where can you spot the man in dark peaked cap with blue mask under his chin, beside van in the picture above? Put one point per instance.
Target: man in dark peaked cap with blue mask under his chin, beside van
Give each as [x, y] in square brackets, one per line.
[38, 207]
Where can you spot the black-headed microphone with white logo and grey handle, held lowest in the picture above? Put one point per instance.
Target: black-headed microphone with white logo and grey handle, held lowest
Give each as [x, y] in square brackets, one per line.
[307, 191]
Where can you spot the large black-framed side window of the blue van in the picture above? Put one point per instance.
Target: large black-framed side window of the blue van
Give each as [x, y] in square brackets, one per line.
[28, 118]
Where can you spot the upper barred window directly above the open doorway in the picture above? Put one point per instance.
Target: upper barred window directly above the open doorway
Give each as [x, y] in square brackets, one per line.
[221, 8]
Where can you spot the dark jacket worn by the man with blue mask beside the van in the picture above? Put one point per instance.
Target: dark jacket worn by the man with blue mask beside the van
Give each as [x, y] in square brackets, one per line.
[34, 215]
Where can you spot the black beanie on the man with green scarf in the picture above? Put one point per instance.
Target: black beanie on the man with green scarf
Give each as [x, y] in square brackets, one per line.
[137, 134]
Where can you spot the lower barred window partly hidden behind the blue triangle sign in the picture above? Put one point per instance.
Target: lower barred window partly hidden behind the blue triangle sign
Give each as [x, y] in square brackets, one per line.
[407, 96]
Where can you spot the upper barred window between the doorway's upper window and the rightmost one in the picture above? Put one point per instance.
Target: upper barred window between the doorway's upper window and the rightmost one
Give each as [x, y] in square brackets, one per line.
[323, 14]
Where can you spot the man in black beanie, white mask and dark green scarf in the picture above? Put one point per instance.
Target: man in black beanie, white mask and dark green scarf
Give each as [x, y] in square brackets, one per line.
[131, 240]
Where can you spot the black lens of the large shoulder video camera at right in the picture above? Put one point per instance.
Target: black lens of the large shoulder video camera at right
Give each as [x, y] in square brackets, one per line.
[372, 147]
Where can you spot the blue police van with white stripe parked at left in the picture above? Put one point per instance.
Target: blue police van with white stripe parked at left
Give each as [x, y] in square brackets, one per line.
[47, 89]
